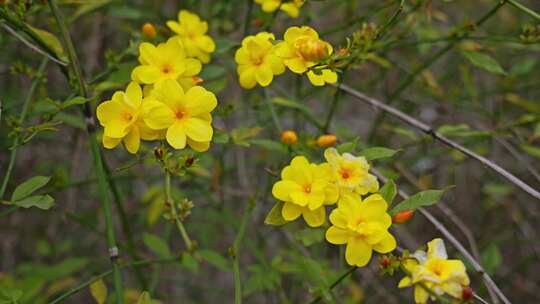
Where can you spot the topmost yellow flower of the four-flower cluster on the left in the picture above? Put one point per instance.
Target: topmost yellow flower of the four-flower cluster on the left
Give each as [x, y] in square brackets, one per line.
[192, 32]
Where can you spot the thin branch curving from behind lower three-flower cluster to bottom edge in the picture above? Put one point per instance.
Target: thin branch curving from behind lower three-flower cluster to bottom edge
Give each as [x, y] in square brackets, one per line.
[450, 237]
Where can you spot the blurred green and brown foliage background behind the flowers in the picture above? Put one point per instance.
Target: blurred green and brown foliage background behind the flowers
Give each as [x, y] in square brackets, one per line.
[478, 84]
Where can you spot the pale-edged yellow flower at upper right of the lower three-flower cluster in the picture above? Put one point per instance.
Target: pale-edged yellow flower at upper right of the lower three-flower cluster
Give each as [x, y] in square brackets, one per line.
[351, 173]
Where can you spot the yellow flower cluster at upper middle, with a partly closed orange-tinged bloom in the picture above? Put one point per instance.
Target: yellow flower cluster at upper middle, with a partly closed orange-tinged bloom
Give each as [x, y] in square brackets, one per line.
[301, 51]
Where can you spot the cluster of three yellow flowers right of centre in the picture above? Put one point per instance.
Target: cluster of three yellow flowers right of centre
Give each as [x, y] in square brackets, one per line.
[306, 189]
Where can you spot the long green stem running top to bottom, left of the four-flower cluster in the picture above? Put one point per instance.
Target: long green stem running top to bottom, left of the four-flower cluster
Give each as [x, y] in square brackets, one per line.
[103, 185]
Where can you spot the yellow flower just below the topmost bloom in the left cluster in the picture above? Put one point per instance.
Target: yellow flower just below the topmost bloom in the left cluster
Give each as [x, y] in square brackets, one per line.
[165, 61]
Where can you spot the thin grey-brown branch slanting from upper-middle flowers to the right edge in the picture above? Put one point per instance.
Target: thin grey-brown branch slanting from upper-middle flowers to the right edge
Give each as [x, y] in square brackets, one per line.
[438, 137]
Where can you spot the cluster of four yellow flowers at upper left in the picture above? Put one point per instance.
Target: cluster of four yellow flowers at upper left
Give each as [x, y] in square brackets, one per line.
[171, 105]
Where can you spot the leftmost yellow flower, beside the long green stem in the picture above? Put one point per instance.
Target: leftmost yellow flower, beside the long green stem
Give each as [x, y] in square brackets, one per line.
[122, 118]
